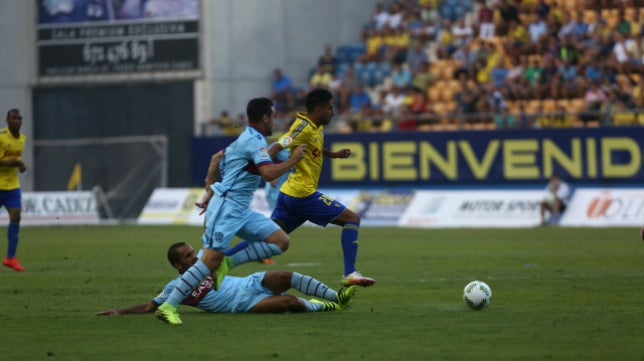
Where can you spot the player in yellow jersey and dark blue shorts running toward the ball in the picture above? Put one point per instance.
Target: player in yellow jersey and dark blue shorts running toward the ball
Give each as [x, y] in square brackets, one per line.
[299, 199]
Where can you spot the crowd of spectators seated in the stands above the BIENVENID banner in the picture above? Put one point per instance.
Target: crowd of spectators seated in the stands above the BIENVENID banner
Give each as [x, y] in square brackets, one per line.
[484, 64]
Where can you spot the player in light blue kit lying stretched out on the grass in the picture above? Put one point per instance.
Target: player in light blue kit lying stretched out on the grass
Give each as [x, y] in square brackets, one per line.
[261, 292]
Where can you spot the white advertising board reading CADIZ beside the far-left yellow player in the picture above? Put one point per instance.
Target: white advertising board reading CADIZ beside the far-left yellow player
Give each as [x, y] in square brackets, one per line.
[57, 208]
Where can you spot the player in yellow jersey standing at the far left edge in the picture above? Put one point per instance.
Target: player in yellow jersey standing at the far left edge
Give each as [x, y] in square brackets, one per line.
[12, 145]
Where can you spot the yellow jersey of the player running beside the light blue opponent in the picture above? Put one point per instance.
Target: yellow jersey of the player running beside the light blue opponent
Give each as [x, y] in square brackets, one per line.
[304, 180]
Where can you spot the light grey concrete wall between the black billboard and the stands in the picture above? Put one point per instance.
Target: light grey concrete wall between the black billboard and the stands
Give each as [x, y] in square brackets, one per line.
[247, 39]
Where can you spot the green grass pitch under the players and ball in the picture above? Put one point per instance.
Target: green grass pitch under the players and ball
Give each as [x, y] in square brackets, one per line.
[558, 294]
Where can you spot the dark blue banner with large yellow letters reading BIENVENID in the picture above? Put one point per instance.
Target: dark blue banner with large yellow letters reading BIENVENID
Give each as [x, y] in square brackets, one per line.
[419, 159]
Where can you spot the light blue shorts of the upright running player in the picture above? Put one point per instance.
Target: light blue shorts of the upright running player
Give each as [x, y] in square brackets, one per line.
[225, 219]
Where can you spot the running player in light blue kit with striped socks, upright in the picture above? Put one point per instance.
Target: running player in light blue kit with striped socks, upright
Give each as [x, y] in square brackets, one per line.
[240, 167]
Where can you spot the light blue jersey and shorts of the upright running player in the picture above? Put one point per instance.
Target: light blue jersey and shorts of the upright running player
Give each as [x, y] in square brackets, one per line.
[229, 212]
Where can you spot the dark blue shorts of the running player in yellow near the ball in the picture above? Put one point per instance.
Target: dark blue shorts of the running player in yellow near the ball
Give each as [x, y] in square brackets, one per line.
[318, 208]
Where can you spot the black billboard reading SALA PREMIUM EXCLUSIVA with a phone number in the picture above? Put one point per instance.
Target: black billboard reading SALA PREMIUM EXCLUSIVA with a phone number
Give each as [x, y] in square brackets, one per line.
[110, 37]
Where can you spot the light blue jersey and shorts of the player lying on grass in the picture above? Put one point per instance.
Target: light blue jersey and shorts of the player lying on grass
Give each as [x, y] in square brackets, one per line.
[236, 294]
